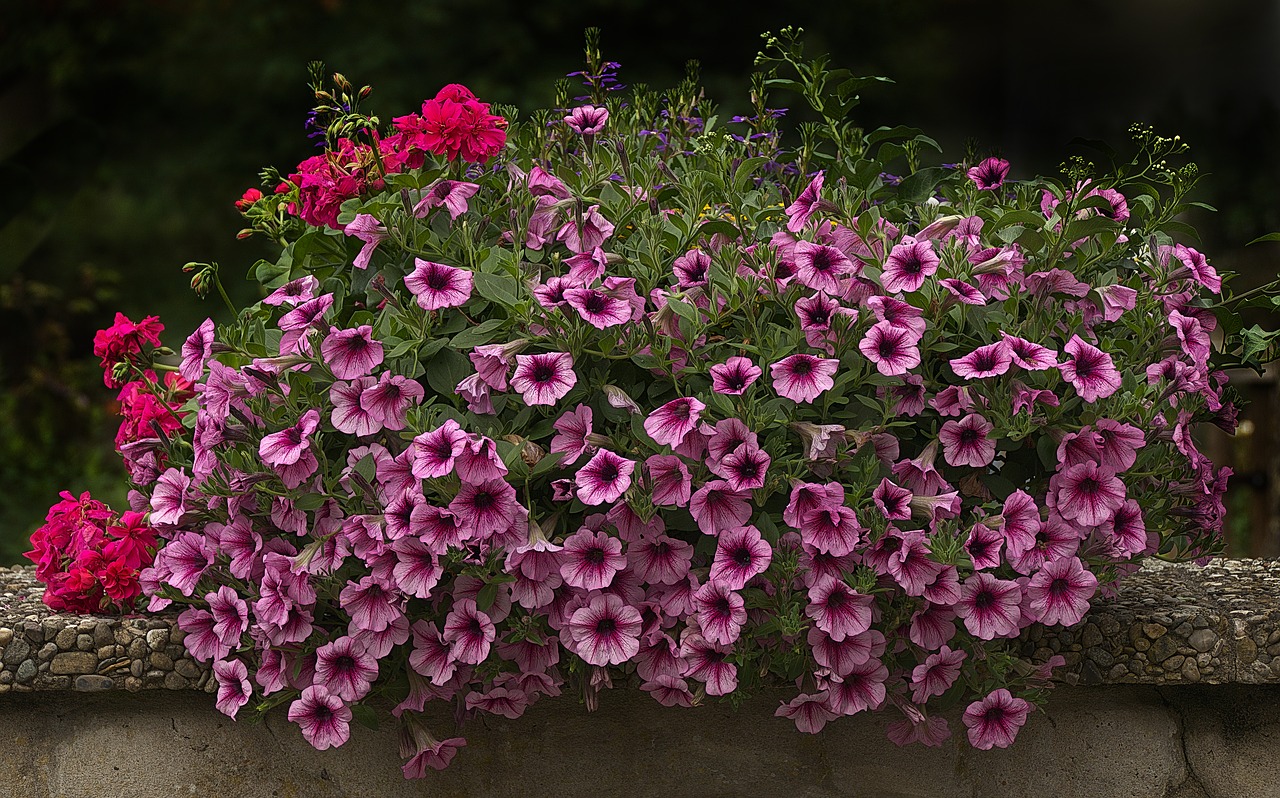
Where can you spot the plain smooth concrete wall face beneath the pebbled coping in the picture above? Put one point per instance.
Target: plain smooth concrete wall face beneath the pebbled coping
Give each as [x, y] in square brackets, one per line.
[1094, 742]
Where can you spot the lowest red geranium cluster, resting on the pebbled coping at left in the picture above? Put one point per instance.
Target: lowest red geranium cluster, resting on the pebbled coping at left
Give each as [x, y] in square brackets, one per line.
[89, 558]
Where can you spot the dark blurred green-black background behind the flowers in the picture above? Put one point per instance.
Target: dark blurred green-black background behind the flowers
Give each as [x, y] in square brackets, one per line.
[129, 129]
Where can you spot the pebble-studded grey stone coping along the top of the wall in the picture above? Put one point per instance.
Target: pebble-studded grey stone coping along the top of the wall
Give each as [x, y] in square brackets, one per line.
[1168, 624]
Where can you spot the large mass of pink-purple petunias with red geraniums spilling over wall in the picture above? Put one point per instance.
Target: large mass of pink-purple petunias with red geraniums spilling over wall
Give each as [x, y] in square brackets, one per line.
[623, 393]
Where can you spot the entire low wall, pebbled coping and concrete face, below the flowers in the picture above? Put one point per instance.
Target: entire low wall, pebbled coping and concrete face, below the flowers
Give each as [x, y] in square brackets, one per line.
[108, 708]
